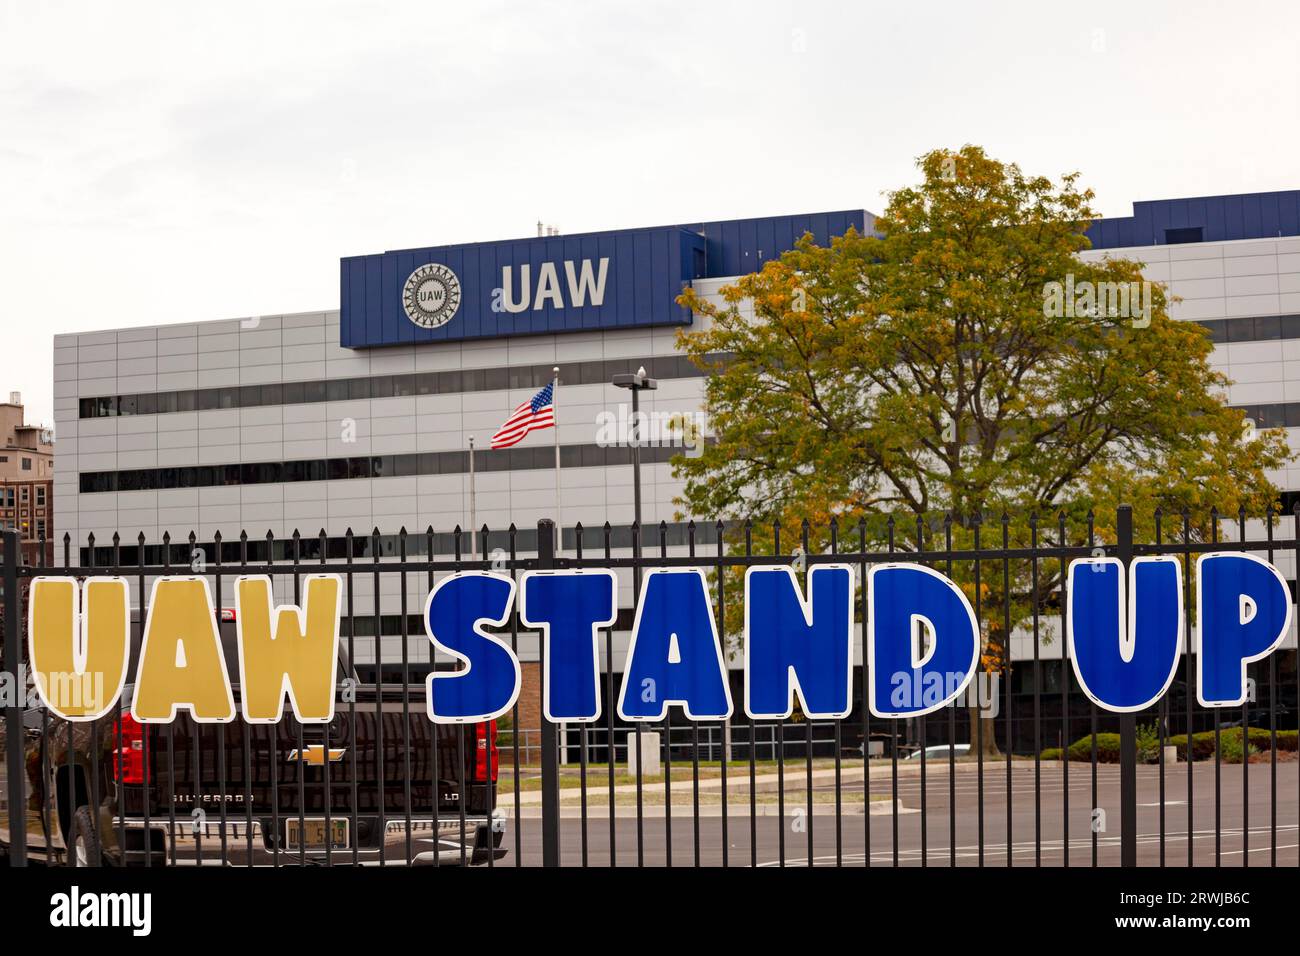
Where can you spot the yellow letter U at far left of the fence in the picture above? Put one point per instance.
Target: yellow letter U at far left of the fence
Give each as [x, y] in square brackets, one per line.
[79, 659]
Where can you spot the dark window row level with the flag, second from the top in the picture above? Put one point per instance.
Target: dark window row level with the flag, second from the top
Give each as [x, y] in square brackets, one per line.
[367, 468]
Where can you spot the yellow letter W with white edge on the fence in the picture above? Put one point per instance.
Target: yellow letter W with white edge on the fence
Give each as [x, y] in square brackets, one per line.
[301, 657]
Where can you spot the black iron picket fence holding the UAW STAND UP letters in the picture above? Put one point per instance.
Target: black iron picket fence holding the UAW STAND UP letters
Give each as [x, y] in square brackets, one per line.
[1028, 772]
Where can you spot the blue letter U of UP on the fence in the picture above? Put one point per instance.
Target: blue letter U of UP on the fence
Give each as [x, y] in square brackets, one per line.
[1124, 637]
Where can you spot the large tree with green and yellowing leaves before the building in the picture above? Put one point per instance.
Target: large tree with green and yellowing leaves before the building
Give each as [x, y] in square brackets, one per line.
[959, 366]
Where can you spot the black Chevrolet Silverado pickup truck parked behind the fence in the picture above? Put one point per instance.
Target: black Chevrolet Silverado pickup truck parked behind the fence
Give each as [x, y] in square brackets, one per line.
[382, 785]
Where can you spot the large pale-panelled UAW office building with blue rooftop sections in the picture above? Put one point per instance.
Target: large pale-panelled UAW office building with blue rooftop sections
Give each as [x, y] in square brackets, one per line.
[361, 417]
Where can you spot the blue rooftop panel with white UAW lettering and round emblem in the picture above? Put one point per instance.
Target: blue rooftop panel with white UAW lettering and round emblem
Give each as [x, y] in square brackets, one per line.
[613, 280]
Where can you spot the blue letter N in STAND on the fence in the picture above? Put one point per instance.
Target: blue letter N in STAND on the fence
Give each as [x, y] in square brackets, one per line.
[812, 642]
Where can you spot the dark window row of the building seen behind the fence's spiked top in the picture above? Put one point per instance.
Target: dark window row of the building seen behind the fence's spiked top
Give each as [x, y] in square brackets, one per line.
[366, 548]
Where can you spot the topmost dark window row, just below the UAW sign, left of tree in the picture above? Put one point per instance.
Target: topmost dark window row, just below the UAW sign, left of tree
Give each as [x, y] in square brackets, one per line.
[382, 387]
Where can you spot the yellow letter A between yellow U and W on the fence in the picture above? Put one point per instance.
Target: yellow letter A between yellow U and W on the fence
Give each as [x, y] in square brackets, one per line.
[181, 660]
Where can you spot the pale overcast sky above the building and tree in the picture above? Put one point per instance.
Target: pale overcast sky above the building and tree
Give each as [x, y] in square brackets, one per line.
[180, 162]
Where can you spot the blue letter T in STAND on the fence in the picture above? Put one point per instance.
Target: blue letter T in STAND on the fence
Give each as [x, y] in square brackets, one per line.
[570, 608]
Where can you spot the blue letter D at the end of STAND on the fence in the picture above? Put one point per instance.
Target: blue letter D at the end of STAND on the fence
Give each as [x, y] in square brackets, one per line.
[922, 641]
